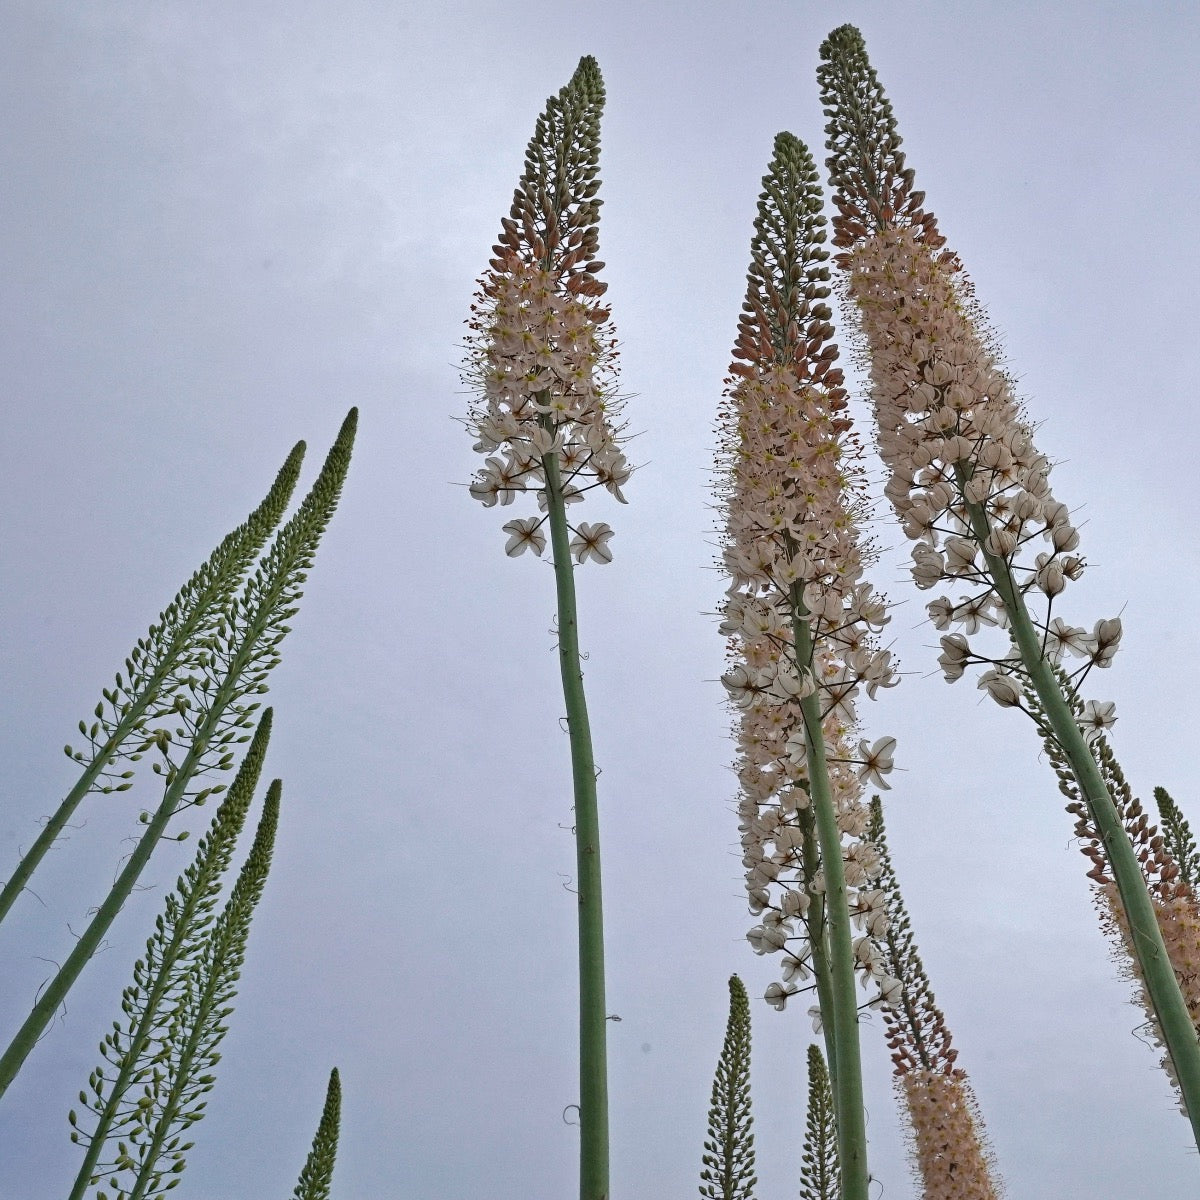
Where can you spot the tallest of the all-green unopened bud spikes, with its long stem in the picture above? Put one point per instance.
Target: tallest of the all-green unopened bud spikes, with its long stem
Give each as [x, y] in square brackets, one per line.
[212, 707]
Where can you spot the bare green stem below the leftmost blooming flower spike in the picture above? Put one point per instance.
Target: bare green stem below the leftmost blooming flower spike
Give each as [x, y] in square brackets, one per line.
[593, 1018]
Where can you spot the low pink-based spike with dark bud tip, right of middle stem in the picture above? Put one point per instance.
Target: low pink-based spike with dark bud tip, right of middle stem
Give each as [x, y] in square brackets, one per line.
[950, 1150]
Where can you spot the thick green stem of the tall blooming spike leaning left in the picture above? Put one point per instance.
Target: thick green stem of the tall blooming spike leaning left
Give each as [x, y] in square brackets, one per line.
[1163, 988]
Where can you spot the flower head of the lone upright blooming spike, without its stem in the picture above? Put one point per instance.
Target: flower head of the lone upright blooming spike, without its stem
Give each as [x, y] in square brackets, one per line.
[541, 353]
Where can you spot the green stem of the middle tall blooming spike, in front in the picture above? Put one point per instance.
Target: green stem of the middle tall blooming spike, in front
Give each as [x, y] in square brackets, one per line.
[844, 1011]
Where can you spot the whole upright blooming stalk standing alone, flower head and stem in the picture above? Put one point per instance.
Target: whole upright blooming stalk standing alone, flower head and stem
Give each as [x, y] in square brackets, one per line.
[543, 363]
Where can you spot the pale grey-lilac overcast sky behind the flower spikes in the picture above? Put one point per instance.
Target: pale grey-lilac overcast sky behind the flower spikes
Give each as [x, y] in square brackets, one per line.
[223, 225]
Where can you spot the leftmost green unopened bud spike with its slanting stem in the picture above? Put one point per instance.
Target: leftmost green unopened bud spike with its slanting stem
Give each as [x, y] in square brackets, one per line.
[158, 669]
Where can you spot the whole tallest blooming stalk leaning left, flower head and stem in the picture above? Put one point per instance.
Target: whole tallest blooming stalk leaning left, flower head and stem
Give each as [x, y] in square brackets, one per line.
[970, 487]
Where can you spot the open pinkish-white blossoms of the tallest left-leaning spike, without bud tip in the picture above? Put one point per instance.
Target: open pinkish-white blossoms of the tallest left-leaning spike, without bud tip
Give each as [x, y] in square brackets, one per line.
[965, 475]
